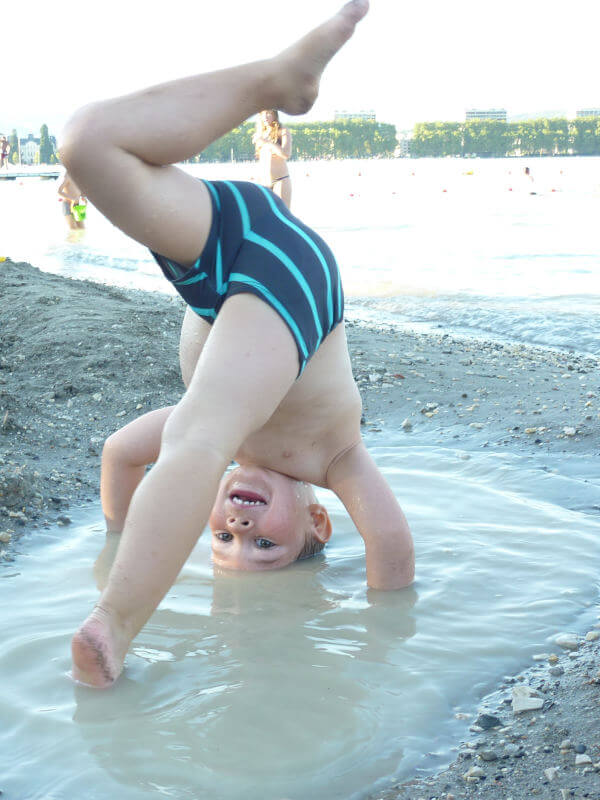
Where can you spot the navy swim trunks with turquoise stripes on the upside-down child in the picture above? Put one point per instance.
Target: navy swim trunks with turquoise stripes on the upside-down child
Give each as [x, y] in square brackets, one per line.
[257, 245]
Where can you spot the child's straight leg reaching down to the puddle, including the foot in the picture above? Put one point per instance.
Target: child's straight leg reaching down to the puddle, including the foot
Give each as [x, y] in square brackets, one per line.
[246, 368]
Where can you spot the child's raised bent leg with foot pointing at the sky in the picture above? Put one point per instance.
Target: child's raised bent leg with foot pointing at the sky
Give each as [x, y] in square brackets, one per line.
[117, 150]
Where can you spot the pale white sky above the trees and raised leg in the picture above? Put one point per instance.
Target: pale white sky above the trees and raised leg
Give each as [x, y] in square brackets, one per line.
[409, 61]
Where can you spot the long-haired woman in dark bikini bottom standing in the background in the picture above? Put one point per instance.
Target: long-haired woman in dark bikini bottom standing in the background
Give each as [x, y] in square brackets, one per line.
[273, 144]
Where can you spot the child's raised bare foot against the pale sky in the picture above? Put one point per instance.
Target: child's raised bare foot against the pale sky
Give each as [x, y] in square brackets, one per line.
[299, 68]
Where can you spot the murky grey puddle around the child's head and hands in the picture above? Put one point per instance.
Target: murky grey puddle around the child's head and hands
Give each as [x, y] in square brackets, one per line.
[300, 682]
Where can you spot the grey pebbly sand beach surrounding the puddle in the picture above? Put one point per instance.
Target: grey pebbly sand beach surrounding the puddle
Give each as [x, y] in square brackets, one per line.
[79, 359]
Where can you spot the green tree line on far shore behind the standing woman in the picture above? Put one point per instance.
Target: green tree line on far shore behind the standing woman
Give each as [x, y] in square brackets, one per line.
[353, 138]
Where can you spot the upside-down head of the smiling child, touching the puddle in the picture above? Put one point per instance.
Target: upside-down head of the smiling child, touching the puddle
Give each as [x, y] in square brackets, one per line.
[263, 520]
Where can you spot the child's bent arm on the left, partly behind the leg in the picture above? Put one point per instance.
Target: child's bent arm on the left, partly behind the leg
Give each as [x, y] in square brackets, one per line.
[125, 456]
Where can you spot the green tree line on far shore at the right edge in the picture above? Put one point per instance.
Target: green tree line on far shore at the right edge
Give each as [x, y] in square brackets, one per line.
[494, 138]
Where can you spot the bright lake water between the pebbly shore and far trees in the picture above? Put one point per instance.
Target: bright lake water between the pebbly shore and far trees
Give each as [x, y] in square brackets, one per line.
[419, 241]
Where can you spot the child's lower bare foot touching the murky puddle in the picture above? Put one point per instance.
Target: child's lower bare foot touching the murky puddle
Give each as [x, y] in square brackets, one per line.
[98, 650]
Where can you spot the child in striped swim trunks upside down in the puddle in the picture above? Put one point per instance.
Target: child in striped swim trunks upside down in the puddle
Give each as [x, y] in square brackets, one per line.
[272, 385]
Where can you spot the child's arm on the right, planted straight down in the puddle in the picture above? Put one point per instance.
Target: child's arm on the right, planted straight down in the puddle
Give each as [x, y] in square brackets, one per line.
[365, 493]
